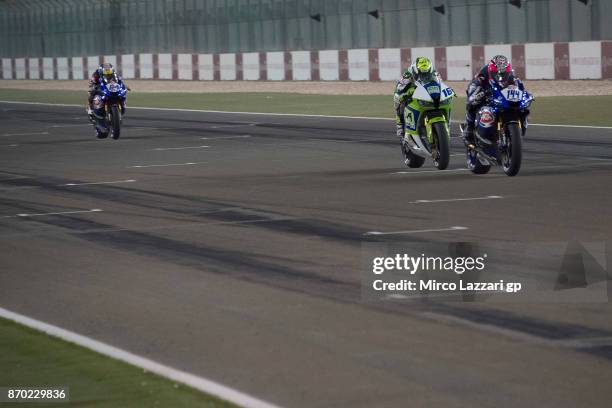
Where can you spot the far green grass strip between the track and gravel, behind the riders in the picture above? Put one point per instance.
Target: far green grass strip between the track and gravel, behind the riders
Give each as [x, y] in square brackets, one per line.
[579, 110]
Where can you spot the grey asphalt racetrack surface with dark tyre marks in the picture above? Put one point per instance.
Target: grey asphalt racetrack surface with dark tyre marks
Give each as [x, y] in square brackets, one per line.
[239, 261]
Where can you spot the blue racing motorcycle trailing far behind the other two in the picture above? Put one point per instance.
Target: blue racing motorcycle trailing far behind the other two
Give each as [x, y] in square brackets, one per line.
[108, 108]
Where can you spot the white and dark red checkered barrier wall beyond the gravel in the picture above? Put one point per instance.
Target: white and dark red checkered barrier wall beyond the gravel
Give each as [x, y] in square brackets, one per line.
[573, 60]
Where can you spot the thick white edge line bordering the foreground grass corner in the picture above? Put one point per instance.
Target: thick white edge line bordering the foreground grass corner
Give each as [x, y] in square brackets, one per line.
[194, 381]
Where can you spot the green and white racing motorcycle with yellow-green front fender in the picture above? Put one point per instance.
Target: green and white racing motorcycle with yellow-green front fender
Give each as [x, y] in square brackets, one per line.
[427, 119]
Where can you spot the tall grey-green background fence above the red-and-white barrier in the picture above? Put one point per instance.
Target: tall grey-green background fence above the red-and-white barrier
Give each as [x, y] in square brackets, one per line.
[37, 28]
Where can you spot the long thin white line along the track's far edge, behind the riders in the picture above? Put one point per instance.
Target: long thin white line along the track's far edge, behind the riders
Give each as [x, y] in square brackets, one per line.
[279, 114]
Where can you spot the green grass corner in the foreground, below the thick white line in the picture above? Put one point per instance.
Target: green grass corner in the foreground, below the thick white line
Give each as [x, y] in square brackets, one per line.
[30, 358]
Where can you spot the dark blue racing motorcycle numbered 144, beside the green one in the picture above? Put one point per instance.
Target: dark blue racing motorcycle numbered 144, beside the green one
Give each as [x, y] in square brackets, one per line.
[501, 125]
